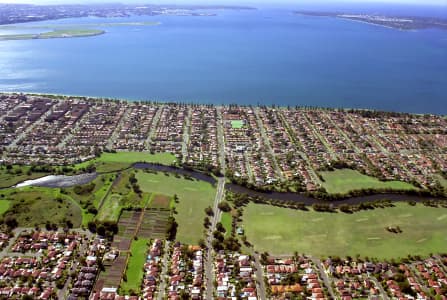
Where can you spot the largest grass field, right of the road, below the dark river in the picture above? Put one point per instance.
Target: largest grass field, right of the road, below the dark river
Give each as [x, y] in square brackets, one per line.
[283, 231]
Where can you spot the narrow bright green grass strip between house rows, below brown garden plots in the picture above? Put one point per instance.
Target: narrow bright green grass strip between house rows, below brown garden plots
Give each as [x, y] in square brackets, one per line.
[134, 272]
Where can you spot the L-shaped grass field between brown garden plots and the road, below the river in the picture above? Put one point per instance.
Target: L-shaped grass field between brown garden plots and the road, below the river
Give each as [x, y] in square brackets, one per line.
[194, 197]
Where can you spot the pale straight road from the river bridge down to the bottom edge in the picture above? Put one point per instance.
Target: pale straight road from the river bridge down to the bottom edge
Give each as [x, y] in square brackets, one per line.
[208, 264]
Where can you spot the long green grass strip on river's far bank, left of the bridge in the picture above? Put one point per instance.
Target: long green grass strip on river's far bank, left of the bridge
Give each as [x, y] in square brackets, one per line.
[109, 162]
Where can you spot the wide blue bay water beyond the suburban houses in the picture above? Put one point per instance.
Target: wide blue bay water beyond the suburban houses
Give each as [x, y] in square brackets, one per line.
[266, 56]
